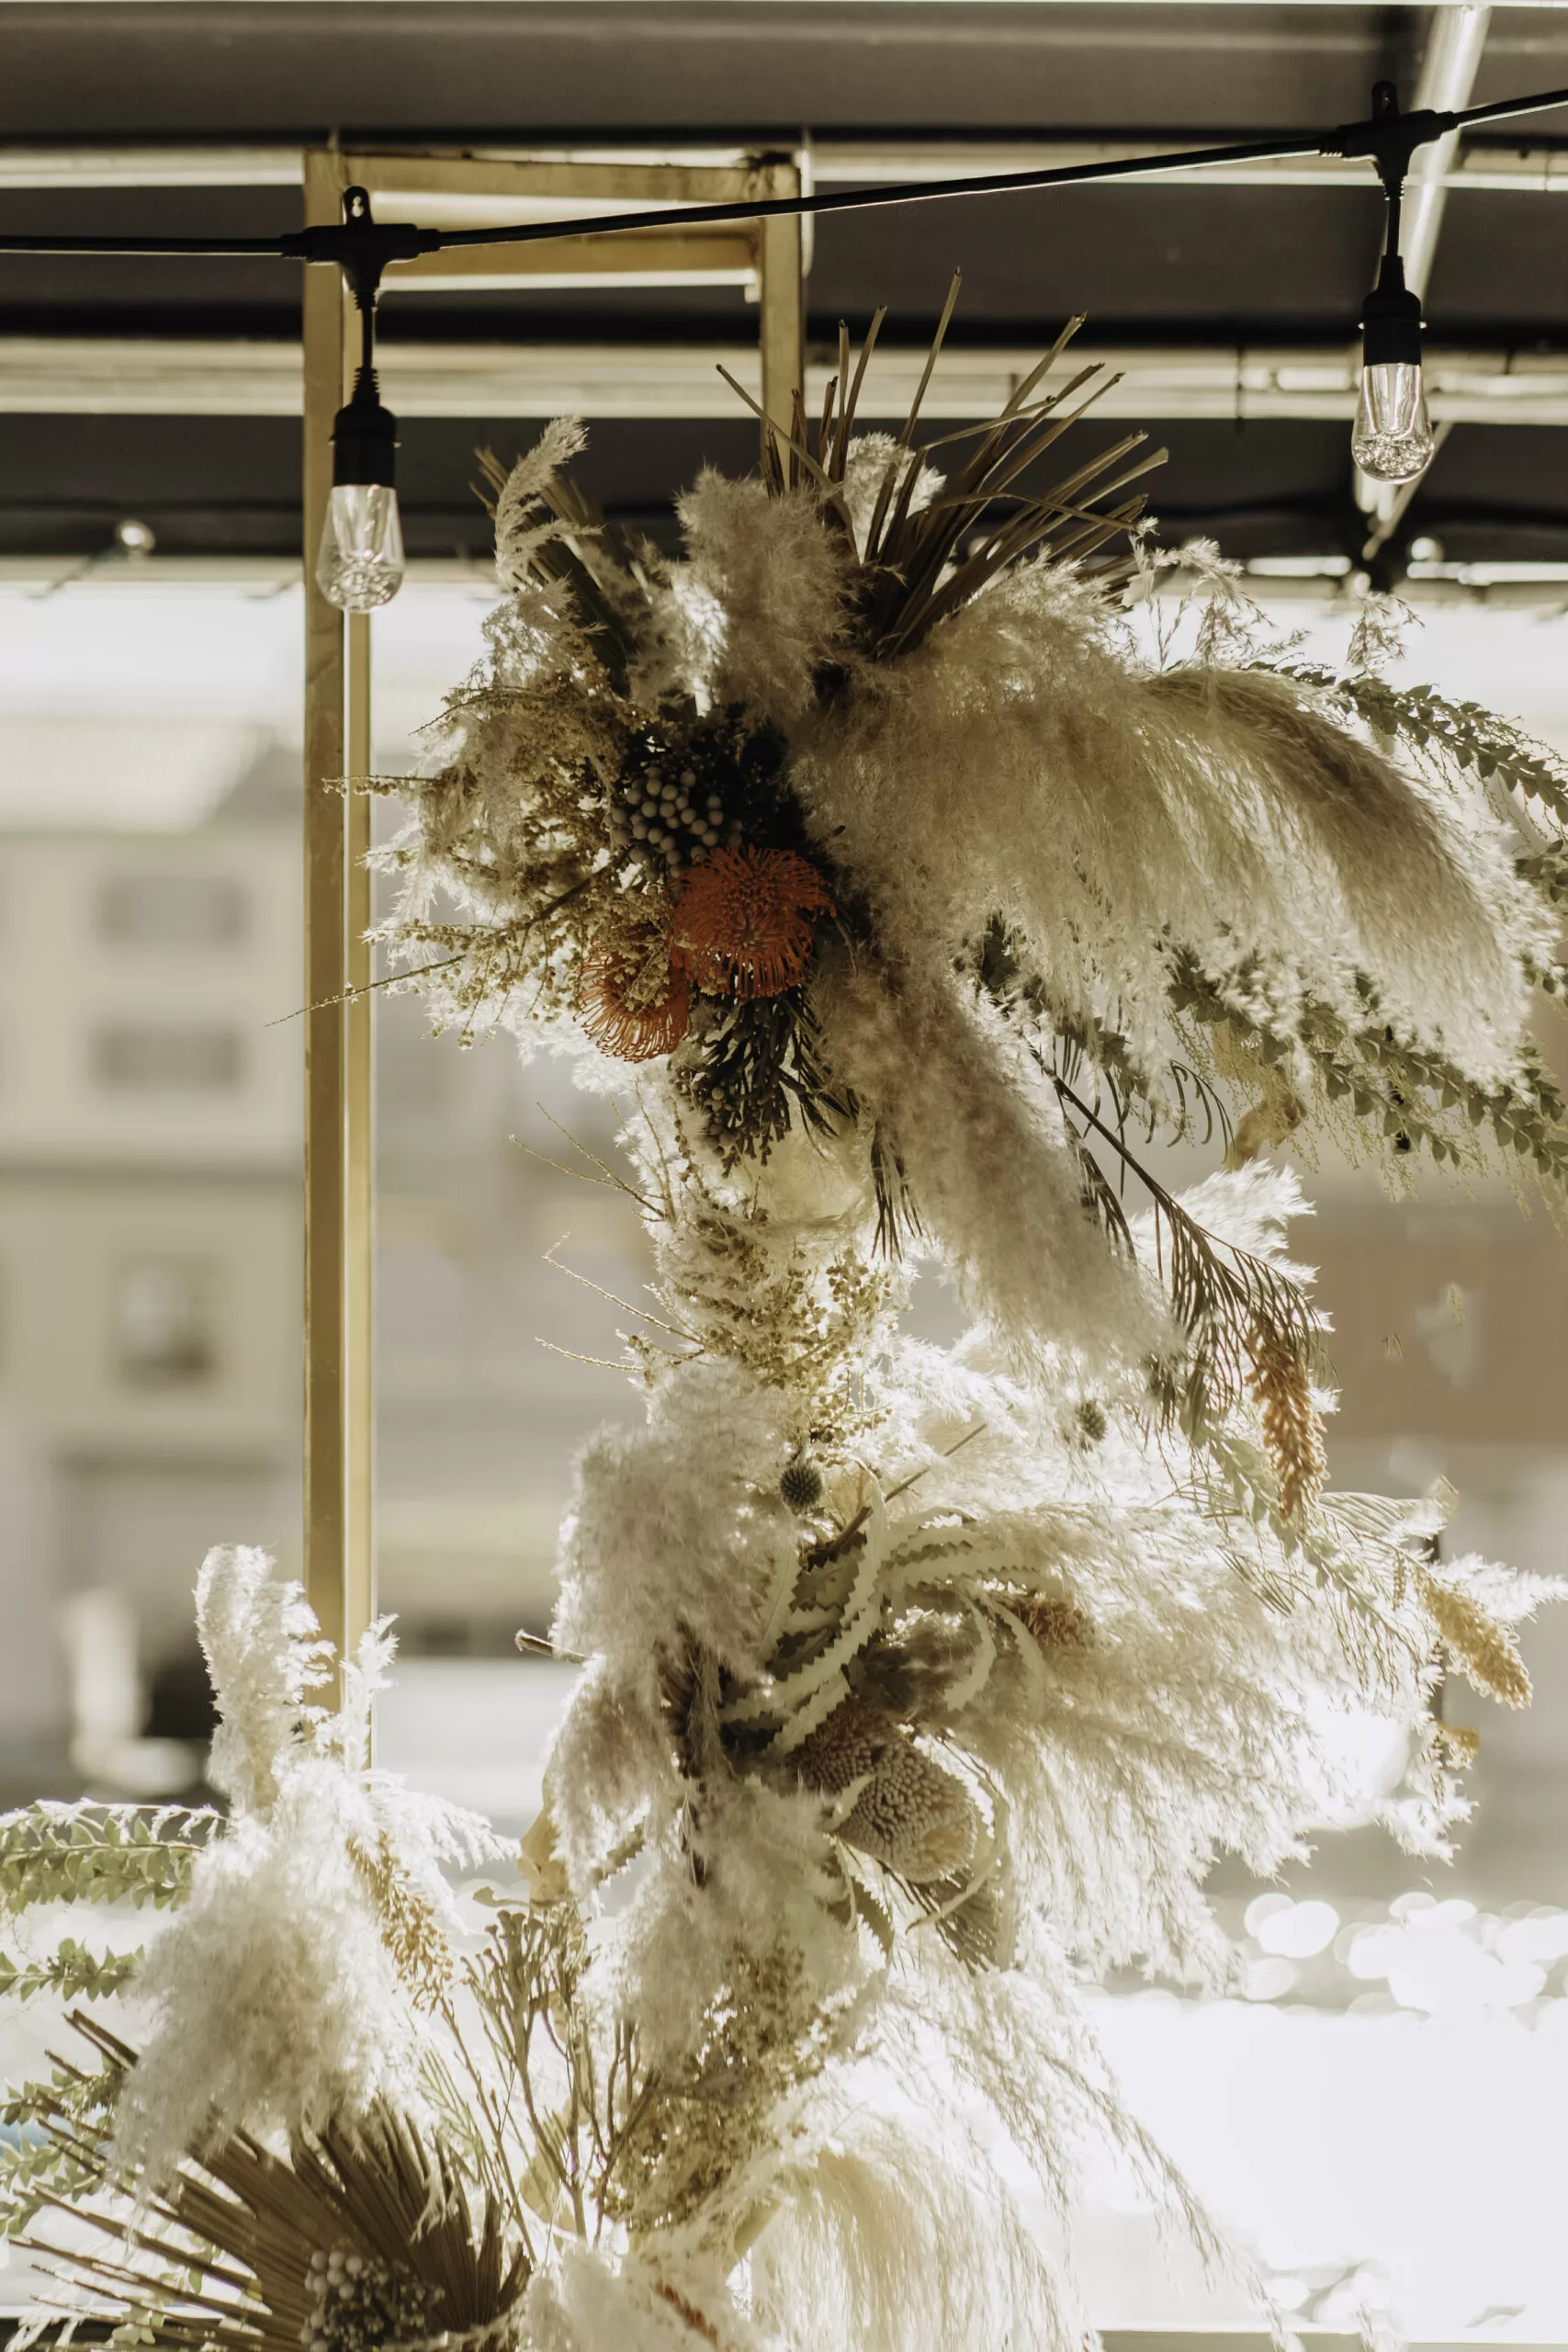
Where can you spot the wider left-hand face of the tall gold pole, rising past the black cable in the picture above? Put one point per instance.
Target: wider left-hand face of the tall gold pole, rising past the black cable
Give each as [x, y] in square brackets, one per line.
[326, 961]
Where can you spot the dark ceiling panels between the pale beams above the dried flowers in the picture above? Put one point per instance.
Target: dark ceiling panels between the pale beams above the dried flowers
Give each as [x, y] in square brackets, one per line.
[1151, 265]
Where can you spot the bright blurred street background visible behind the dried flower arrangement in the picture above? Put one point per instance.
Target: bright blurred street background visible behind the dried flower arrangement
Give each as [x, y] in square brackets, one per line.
[1379, 2109]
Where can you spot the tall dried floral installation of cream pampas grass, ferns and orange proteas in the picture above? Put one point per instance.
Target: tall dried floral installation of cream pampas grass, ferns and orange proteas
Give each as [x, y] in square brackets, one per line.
[906, 902]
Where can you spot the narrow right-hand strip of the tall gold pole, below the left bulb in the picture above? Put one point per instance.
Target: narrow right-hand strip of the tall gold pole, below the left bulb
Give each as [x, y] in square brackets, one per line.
[361, 1165]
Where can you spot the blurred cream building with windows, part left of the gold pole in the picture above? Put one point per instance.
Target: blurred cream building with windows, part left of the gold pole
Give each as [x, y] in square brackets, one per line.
[149, 1198]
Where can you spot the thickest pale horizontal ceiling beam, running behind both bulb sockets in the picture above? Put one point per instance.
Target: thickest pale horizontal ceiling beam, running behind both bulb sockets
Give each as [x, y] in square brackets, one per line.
[142, 377]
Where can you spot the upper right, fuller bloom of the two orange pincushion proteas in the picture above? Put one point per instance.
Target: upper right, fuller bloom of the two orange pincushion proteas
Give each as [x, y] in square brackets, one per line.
[746, 918]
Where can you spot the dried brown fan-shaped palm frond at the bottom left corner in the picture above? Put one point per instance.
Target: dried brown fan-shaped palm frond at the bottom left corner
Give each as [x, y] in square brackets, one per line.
[354, 2238]
